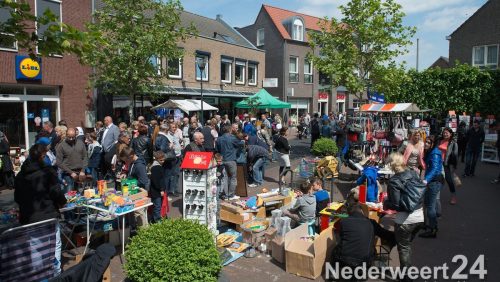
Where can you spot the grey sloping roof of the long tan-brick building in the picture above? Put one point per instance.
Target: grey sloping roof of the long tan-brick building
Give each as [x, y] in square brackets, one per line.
[215, 29]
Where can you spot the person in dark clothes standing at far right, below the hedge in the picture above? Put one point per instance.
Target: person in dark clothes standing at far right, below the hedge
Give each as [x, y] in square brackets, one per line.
[475, 139]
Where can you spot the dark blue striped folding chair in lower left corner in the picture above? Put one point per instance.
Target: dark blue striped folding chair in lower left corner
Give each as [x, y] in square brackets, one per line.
[27, 253]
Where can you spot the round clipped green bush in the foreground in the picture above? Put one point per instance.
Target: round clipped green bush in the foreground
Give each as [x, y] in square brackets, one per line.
[173, 250]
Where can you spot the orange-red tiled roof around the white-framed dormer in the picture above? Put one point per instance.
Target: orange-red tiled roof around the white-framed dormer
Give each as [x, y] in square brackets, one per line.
[278, 15]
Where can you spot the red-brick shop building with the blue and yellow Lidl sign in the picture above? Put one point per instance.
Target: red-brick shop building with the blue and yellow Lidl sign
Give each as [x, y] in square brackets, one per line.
[53, 90]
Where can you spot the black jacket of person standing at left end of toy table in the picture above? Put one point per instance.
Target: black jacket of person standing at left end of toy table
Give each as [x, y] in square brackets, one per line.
[37, 192]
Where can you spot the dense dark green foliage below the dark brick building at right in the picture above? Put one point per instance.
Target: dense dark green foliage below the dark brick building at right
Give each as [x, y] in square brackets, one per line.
[460, 88]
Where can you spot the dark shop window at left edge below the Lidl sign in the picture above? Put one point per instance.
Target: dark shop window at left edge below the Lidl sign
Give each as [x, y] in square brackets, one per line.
[12, 123]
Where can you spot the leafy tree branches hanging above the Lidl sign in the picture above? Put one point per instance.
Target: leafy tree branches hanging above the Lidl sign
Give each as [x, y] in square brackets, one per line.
[21, 27]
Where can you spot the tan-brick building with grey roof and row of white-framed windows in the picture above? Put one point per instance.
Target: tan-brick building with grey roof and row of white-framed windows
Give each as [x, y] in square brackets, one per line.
[234, 68]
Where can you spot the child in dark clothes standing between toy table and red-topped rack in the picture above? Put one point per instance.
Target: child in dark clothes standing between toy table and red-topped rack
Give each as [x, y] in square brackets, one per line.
[157, 188]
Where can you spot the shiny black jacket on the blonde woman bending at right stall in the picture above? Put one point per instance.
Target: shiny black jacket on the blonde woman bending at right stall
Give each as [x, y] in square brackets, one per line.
[400, 198]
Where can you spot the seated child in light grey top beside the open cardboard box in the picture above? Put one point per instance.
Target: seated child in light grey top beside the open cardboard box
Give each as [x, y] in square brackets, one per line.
[304, 209]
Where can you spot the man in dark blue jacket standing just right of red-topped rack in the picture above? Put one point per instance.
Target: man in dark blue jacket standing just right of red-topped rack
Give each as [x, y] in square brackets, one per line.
[227, 145]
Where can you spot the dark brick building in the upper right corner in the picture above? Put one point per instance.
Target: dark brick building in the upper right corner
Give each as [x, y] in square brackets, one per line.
[476, 42]
